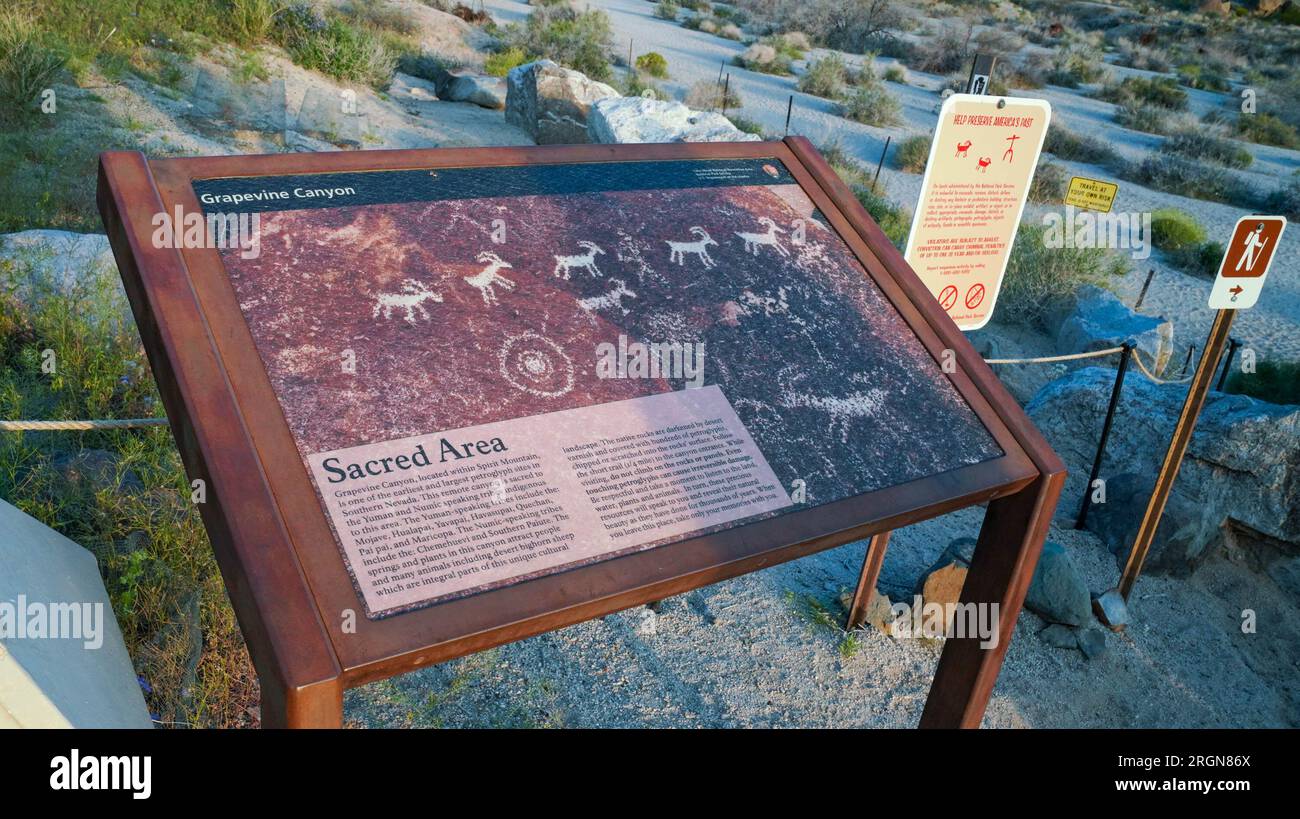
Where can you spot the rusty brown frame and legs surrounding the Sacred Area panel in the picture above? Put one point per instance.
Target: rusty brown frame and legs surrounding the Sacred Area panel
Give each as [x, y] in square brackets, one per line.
[285, 577]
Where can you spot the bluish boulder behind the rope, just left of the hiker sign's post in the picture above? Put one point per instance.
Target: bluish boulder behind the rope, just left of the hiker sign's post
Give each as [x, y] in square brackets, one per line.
[1100, 320]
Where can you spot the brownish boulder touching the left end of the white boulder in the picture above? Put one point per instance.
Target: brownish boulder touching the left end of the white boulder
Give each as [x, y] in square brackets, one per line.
[552, 103]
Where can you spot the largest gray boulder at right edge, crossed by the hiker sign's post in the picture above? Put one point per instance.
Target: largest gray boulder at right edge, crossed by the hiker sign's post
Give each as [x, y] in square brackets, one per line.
[1243, 463]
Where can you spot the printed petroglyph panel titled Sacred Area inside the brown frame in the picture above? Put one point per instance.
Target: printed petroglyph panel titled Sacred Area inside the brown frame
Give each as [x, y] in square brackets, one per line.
[463, 332]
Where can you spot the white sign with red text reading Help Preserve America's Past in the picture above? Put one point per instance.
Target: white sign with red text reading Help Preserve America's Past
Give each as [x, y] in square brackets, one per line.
[973, 196]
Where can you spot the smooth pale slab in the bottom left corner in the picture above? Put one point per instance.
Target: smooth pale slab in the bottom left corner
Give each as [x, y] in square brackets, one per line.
[49, 683]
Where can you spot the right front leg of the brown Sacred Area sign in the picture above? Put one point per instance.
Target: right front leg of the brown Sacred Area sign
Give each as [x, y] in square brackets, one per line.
[1007, 552]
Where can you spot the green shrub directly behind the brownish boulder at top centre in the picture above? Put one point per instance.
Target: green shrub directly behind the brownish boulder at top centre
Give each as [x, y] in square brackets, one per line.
[579, 41]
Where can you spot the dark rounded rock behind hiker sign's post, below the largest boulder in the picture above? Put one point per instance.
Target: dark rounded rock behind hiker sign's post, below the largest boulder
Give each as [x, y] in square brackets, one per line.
[1186, 538]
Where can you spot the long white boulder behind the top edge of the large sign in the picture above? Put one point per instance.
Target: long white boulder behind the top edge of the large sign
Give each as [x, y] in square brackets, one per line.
[638, 119]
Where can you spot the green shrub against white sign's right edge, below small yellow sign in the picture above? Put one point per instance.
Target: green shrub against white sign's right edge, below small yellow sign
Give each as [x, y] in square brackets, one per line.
[1039, 278]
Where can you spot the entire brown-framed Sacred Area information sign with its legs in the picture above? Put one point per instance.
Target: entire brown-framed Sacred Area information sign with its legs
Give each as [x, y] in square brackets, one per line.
[432, 418]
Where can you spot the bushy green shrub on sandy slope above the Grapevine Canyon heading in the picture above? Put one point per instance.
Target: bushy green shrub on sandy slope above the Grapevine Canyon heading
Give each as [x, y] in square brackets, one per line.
[335, 47]
